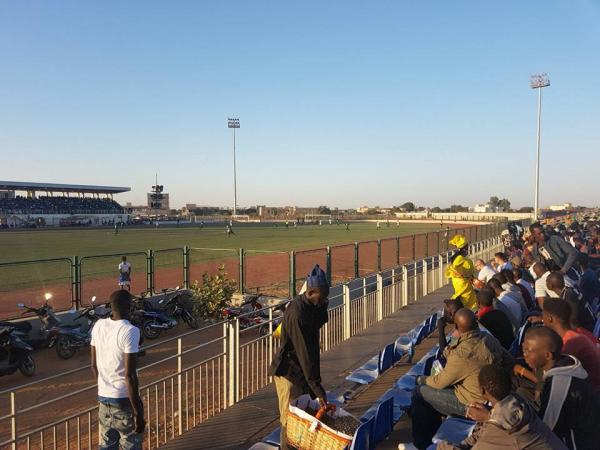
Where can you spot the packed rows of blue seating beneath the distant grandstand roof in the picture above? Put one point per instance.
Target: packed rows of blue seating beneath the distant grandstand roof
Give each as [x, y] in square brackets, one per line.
[59, 205]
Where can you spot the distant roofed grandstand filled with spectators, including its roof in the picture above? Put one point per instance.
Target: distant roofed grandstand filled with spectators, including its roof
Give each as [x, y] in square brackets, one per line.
[24, 204]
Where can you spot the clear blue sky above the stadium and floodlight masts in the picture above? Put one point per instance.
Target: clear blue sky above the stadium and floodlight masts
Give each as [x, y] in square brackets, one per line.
[341, 103]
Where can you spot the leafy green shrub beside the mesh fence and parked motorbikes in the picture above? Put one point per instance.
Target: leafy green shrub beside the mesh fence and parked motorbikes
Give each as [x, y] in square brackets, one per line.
[212, 294]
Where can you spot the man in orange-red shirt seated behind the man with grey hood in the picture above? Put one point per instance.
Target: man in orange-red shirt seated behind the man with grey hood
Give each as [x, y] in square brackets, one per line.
[579, 343]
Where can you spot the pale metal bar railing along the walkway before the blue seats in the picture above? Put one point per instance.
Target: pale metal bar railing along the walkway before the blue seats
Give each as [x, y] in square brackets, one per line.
[202, 372]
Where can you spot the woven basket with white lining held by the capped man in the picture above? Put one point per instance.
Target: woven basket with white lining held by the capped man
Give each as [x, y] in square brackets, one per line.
[306, 432]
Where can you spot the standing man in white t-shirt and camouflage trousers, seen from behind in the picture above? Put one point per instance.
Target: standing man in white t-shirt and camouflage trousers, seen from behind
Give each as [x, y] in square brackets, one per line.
[114, 346]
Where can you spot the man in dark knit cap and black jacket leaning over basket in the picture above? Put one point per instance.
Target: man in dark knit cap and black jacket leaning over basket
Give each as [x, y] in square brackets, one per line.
[296, 366]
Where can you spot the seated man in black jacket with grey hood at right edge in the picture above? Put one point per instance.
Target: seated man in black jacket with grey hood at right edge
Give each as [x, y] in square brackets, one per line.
[568, 404]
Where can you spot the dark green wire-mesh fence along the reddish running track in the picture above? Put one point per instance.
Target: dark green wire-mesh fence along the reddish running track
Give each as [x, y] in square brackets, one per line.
[72, 281]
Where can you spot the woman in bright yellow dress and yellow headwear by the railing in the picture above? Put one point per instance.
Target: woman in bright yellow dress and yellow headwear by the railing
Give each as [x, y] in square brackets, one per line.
[461, 272]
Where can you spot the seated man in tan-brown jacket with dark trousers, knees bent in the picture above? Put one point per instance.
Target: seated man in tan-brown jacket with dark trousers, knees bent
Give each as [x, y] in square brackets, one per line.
[457, 386]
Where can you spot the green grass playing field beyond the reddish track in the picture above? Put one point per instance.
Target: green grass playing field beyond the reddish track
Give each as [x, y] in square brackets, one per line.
[40, 244]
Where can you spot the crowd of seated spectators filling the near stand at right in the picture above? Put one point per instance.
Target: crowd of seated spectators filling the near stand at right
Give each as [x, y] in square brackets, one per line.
[524, 362]
